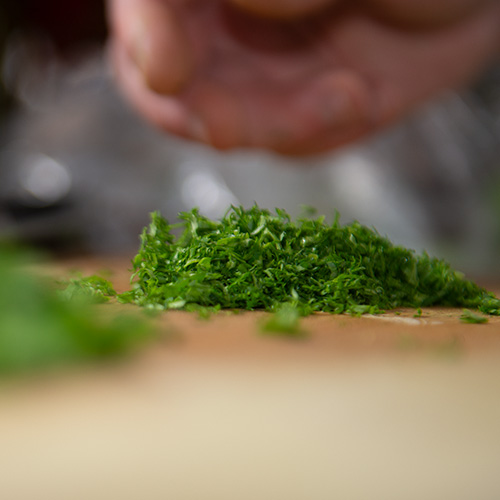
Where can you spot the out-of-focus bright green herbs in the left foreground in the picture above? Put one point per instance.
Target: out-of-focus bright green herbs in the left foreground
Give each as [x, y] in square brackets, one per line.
[42, 329]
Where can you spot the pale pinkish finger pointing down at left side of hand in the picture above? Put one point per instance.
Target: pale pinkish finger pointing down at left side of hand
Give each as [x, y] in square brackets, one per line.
[155, 41]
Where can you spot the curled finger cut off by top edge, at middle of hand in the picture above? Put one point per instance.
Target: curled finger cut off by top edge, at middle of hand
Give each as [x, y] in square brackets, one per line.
[283, 9]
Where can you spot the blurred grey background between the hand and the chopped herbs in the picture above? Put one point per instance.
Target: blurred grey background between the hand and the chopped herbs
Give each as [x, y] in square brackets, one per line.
[80, 171]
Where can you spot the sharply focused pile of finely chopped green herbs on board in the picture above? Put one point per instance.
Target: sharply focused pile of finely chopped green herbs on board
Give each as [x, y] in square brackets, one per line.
[255, 259]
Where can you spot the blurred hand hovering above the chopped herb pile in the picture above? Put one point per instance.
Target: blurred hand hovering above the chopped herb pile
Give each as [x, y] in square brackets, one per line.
[294, 76]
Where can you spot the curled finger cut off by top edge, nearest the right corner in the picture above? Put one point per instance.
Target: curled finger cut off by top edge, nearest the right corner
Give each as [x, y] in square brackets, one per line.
[427, 13]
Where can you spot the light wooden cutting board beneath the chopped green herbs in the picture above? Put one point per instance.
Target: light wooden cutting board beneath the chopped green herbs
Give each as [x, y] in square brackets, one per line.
[386, 407]
